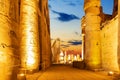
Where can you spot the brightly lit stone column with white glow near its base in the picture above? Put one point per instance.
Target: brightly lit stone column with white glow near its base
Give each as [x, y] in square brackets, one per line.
[29, 42]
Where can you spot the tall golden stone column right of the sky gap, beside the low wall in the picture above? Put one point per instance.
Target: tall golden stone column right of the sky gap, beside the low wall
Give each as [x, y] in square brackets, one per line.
[92, 34]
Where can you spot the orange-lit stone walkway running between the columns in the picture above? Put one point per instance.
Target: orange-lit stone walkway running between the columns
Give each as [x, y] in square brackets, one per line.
[63, 72]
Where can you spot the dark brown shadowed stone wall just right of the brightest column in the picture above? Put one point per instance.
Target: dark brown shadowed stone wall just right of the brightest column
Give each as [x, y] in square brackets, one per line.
[44, 26]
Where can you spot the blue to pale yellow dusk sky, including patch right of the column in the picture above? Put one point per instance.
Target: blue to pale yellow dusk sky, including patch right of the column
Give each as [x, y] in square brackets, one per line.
[65, 16]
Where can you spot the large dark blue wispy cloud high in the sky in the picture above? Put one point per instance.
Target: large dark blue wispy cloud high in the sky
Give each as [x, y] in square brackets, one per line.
[63, 17]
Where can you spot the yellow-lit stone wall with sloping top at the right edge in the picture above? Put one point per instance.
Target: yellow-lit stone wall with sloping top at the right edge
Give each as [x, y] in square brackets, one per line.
[109, 44]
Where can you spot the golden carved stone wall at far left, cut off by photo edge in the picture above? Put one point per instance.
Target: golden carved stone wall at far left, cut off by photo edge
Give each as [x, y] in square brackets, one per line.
[9, 21]
